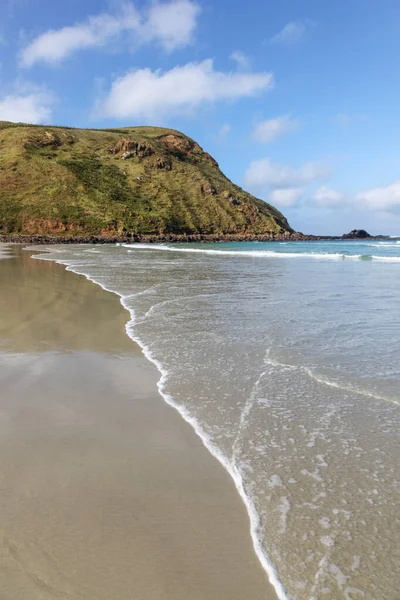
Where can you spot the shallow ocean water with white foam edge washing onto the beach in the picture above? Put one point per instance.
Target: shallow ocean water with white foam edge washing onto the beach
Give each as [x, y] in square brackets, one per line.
[285, 359]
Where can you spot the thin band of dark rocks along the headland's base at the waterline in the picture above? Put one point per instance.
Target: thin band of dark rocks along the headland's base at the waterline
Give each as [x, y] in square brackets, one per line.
[178, 238]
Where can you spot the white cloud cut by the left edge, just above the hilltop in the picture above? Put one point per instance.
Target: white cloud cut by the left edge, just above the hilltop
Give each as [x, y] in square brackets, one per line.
[26, 108]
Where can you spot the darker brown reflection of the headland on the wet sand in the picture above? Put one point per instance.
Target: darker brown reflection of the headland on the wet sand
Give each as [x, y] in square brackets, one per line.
[45, 307]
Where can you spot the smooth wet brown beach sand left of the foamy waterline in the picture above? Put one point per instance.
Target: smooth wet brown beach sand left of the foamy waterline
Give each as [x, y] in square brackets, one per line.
[106, 493]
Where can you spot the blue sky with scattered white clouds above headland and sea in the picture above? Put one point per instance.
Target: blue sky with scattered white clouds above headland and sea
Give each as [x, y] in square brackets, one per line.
[298, 100]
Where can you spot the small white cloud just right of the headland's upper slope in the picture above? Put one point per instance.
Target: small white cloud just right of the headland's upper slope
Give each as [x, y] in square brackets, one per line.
[263, 173]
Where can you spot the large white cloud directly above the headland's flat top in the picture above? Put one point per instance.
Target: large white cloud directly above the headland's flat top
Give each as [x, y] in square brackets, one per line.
[155, 95]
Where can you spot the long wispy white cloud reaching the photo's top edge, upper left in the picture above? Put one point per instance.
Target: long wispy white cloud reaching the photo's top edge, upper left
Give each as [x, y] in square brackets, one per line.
[170, 25]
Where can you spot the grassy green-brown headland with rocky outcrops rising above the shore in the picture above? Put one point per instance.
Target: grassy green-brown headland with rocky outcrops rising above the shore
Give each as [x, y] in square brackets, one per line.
[142, 180]
